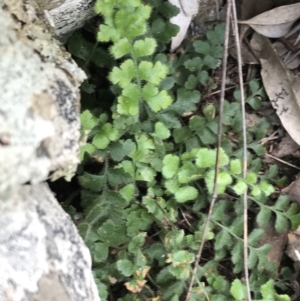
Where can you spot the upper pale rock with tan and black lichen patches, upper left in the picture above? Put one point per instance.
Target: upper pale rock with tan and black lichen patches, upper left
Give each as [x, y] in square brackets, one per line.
[39, 113]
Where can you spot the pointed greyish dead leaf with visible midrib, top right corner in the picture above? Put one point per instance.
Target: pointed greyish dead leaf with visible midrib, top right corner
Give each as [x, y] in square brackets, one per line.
[275, 23]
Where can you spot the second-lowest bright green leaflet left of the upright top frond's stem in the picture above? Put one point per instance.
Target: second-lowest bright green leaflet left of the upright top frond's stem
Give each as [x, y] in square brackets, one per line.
[123, 75]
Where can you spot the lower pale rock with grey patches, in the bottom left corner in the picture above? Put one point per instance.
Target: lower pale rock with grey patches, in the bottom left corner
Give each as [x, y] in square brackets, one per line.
[42, 257]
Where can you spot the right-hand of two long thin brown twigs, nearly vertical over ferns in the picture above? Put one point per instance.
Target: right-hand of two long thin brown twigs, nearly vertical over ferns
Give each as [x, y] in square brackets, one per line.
[239, 56]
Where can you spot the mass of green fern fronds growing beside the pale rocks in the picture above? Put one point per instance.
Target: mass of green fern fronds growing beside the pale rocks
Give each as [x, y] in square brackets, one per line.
[148, 165]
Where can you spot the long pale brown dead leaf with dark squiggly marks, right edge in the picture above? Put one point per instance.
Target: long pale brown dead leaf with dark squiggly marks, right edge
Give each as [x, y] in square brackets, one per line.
[278, 85]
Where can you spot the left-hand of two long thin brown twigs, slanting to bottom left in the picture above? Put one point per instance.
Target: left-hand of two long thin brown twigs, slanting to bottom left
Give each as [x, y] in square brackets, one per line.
[217, 167]
